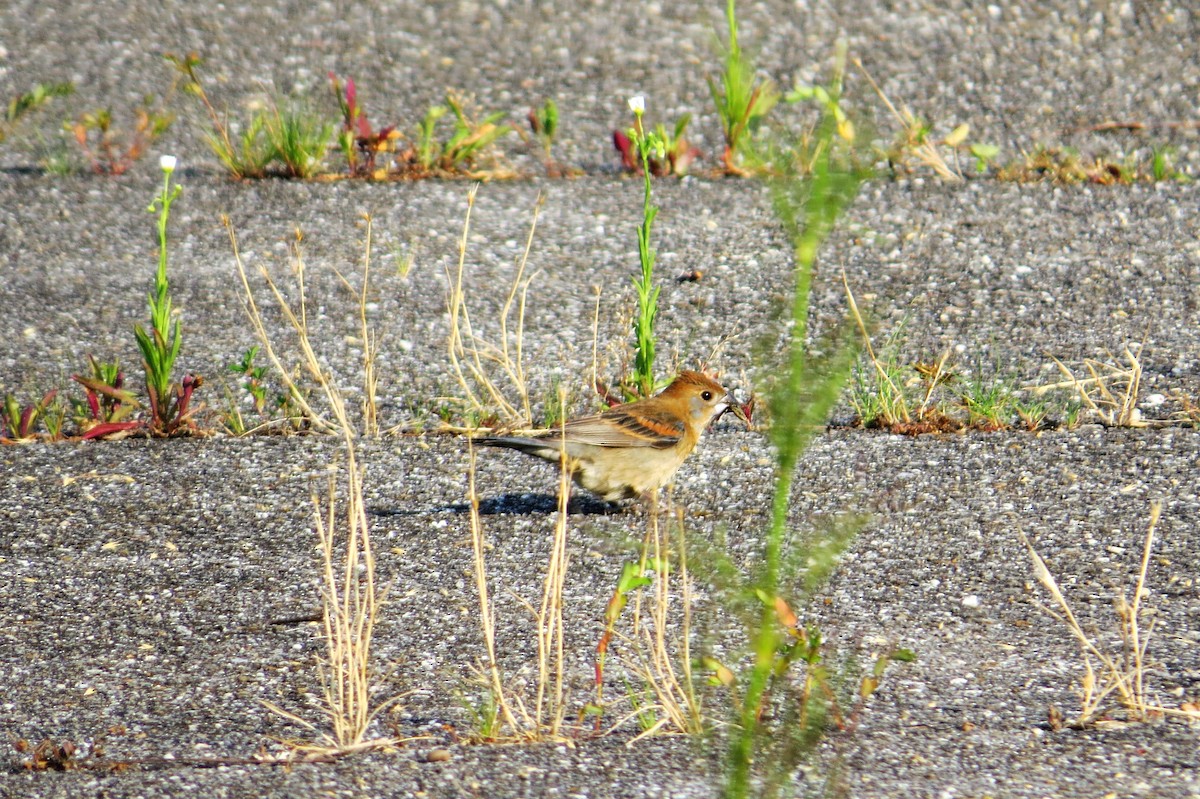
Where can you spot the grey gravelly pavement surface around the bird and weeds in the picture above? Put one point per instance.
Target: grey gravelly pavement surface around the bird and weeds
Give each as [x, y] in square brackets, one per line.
[142, 581]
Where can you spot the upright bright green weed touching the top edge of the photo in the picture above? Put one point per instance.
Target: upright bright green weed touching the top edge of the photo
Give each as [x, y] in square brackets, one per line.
[742, 99]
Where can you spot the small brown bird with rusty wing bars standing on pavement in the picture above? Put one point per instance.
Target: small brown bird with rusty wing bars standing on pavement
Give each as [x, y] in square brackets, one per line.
[634, 449]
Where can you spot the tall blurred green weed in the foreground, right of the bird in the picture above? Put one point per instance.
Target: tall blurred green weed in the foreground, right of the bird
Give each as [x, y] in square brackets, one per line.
[802, 392]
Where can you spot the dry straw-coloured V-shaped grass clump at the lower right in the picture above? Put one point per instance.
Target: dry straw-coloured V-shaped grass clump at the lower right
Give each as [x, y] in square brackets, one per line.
[1107, 676]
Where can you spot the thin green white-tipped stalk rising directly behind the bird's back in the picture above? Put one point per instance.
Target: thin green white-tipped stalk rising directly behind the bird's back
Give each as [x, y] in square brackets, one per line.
[647, 292]
